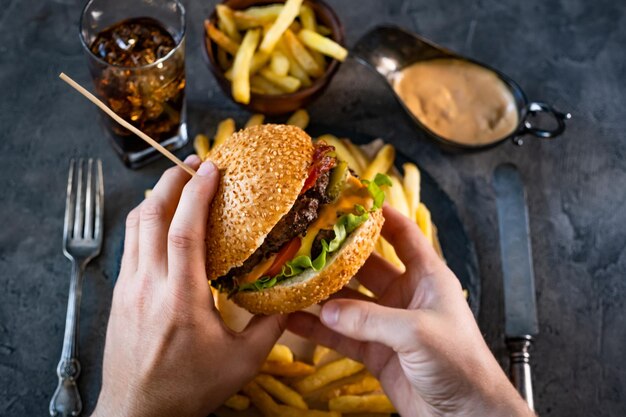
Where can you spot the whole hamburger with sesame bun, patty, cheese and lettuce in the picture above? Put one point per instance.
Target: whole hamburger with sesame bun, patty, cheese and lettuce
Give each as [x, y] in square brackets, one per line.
[291, 223]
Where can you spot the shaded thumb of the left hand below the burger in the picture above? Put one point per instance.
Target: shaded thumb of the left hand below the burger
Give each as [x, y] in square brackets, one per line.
[260, 335]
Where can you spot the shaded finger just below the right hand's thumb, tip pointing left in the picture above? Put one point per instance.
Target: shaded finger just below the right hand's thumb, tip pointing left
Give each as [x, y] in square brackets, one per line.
[309, 326]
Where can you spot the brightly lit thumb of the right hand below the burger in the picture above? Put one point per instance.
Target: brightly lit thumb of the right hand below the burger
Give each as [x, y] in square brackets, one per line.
[370, 322]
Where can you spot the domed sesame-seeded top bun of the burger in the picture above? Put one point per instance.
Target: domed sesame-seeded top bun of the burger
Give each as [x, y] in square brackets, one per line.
[263, 169]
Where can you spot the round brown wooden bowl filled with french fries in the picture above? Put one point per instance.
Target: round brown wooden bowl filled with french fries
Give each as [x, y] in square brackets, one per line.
[237, 27]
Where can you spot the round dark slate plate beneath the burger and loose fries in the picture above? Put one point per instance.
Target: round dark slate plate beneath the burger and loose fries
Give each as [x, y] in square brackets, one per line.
[458, 250]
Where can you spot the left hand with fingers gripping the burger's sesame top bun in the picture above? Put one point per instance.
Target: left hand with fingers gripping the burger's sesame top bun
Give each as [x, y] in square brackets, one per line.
[167, 351]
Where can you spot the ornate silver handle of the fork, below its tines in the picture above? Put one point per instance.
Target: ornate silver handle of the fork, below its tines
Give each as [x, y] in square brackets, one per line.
[66, 400]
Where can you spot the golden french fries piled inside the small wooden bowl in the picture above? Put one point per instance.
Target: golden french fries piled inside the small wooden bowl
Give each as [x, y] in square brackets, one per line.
[273, 49]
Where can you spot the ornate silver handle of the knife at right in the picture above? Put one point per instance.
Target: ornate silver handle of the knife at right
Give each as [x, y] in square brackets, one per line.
[520, 367]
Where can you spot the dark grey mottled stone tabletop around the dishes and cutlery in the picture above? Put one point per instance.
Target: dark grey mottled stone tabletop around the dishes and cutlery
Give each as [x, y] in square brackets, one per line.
[569, 53]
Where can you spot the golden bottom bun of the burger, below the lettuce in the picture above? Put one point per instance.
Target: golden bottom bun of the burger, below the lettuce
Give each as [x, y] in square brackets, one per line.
[311, 287]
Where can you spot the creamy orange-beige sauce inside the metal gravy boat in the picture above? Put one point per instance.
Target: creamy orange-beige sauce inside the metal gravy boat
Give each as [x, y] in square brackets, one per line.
[458, 100]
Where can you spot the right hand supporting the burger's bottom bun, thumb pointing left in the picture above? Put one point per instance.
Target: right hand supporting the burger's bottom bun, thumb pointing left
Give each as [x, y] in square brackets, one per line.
[418, 337]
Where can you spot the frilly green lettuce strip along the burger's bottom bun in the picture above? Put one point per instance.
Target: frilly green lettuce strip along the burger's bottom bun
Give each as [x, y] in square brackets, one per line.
[345, 225]
